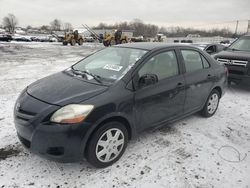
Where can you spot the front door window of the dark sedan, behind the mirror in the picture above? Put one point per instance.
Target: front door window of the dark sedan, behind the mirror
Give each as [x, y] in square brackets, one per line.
[163, 65]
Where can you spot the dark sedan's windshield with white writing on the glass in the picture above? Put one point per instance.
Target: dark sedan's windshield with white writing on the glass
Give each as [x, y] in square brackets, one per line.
[110, 64]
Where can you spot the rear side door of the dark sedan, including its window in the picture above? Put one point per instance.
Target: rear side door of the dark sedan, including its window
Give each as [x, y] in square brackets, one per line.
[199, 79]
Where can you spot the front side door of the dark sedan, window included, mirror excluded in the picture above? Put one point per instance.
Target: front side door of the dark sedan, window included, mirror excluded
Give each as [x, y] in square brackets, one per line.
[163, 100]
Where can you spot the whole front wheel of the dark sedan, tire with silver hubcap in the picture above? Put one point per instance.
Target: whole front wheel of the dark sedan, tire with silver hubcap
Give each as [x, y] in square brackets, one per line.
[105, 145]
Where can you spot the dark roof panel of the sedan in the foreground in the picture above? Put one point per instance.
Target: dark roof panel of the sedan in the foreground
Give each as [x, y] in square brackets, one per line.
[150, 45]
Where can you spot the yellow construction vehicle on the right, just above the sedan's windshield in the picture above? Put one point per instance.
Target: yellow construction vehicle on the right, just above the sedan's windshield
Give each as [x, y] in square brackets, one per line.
[116, 37]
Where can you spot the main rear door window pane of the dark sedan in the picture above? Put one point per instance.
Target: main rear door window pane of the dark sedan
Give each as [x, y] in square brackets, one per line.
[192, 60]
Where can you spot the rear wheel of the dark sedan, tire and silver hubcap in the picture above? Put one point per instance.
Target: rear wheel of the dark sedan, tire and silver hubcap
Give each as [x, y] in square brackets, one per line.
[211, 104]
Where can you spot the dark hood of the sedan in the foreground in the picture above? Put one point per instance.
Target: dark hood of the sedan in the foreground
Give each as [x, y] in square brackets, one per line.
[62, 89]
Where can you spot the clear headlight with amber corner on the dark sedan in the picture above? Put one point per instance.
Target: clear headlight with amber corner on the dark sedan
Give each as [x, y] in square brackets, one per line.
[72, 113]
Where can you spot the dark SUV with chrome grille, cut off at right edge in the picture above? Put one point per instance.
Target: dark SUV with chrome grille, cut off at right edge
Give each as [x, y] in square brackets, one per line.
[237, 59]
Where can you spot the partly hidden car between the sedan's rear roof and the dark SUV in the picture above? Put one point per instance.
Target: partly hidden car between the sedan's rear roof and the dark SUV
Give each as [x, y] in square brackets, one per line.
[210, 48]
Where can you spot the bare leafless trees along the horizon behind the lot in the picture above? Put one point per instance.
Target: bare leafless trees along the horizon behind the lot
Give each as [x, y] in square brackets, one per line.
[138, 27]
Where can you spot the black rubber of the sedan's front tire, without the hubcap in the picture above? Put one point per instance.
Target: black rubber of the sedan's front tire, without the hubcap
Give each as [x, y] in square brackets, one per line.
[91, 147]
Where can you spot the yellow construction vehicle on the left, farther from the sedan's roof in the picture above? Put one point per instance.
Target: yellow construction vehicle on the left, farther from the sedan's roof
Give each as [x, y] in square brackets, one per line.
[73, 38]
